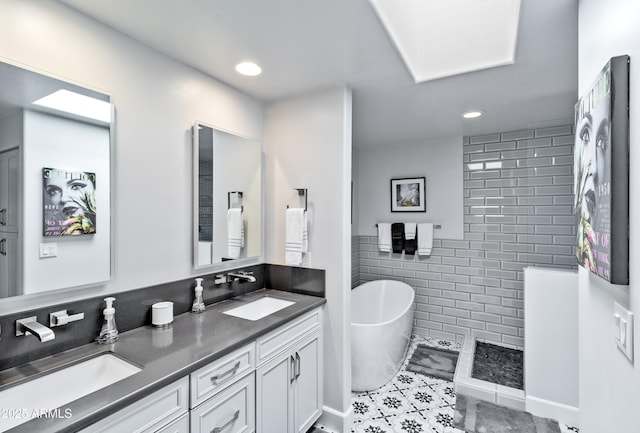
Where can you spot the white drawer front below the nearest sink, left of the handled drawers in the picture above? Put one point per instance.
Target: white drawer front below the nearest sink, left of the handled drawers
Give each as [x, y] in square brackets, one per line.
[150, 414]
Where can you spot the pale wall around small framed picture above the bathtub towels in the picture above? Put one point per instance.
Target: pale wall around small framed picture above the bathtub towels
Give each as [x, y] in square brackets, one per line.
[440, 161]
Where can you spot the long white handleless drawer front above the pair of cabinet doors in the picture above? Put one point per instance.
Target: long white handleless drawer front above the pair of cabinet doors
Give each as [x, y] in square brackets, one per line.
[278, 340]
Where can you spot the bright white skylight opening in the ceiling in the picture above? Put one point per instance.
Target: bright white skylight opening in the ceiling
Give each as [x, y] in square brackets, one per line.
[440, 38]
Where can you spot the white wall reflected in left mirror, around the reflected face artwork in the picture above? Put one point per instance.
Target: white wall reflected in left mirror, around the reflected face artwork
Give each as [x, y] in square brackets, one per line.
[56, 142]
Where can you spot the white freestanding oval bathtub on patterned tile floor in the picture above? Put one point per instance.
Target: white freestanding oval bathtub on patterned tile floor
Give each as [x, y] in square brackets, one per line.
[381, 323]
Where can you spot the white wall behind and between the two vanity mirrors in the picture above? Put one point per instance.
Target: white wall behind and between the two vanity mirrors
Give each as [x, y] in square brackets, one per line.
[157, 100]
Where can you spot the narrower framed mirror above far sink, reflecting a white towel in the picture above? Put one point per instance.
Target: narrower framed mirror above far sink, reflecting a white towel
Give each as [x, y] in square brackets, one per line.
[227, 185]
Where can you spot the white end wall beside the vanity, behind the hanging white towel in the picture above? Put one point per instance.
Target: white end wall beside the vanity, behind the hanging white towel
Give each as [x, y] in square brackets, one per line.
[308, 145]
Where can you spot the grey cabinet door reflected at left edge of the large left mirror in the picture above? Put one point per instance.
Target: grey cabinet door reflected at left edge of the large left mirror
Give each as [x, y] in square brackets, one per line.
[9, 178]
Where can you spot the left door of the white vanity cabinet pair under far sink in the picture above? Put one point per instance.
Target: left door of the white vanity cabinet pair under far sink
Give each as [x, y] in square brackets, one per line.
[274, 395]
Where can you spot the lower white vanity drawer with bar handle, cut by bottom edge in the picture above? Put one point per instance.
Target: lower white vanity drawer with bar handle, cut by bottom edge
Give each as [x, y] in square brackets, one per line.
[233, 410]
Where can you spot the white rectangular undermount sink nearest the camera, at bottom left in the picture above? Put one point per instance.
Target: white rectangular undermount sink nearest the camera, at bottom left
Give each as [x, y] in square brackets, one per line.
[55, 389]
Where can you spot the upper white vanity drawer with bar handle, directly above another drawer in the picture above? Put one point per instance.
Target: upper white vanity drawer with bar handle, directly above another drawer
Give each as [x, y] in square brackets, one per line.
[211, 378]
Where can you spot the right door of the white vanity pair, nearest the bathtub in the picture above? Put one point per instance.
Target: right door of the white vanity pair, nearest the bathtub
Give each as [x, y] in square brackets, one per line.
[308, 382]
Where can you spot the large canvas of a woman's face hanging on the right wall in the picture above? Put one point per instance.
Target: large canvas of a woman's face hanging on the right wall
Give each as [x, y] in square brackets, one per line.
[601, 174]
